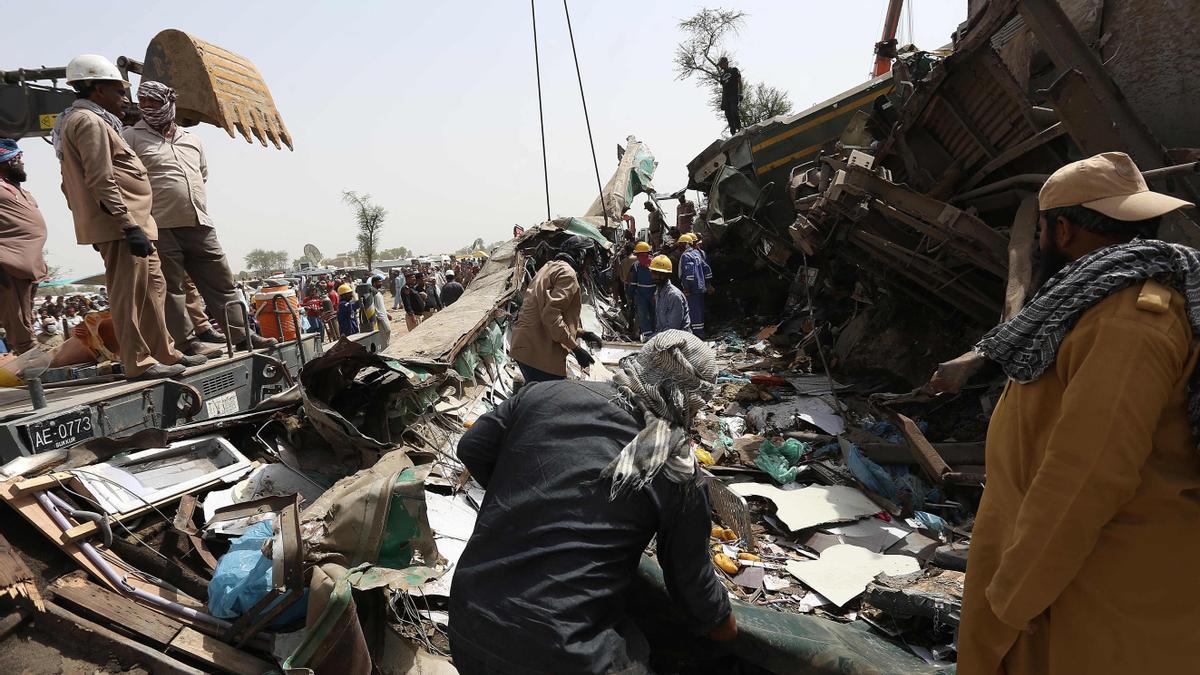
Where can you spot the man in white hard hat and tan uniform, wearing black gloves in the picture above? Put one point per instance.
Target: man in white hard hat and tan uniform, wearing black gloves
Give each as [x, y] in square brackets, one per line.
[110, 195]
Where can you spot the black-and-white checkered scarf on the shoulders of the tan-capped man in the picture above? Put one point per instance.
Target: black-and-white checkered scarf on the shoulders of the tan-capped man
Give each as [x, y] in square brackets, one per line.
[1027, 345]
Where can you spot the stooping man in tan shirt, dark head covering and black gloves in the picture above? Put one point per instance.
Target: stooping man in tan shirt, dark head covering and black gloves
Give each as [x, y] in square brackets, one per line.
[549, 327]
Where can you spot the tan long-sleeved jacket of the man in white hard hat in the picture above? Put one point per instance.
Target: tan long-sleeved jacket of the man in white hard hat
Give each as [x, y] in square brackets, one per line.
[106, 184]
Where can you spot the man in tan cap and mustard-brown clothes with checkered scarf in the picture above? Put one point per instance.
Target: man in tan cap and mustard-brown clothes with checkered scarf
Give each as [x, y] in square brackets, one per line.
[1085, 551]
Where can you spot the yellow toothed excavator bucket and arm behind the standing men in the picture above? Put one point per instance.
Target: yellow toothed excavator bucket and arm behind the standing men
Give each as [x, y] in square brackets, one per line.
[214, 86]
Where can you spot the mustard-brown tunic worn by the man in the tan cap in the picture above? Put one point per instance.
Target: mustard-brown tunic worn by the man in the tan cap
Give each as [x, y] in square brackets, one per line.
[1084, 553]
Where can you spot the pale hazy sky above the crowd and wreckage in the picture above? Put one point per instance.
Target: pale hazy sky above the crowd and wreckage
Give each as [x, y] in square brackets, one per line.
[433, 109]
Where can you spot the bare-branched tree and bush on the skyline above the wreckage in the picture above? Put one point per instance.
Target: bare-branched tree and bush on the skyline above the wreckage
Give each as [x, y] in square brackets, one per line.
[705, 37]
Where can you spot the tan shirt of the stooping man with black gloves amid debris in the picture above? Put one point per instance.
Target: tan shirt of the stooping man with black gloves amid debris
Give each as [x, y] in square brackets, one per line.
[549, 320]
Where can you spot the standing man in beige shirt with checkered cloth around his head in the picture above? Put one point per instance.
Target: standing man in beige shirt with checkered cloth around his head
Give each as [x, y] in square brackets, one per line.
[188, 242]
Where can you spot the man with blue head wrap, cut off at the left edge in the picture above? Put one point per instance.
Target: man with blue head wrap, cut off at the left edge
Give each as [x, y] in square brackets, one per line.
[22, 240]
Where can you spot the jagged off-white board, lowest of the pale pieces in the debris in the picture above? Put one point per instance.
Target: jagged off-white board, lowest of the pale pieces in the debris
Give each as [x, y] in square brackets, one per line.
[844, 571]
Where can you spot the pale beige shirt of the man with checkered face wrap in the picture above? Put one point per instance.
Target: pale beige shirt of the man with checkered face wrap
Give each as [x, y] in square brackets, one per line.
[178, 172]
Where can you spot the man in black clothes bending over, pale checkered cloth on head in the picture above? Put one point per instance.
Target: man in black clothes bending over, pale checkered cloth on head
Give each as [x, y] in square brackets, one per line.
[580, 477]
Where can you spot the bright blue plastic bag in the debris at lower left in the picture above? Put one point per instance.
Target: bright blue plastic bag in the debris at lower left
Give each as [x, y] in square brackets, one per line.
[244, 577]
